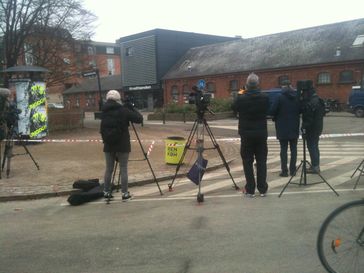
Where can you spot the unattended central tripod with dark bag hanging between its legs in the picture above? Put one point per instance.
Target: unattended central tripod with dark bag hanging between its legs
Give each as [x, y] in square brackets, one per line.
[201, 123]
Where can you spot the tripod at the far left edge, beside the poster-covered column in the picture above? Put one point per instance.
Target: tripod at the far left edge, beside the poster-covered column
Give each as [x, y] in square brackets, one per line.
[8, 151]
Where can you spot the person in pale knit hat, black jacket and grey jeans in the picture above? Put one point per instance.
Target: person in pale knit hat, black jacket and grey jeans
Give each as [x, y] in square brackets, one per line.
[114, 111]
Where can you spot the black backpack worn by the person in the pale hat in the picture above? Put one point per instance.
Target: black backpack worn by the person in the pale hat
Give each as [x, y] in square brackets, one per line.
[110, 130]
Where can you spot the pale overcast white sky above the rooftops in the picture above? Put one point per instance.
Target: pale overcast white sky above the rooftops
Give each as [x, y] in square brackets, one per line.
[119, 18]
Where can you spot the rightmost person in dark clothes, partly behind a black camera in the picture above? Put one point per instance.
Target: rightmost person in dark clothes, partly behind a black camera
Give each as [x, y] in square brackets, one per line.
[313, 111]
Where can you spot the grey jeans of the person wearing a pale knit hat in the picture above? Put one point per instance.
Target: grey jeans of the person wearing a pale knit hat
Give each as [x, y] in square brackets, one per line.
[110, 159]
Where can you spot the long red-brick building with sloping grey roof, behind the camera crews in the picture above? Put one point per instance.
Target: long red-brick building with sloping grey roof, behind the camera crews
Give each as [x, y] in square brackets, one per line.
[332, 56]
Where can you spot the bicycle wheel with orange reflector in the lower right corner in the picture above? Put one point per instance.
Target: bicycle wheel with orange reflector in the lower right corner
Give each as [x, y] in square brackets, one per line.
[340, 240]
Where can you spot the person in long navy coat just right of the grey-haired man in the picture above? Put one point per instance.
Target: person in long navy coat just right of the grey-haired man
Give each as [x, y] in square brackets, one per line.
[285, 113]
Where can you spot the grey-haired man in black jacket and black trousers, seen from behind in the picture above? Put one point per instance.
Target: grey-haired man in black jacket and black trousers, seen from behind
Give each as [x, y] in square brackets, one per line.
[252, 107]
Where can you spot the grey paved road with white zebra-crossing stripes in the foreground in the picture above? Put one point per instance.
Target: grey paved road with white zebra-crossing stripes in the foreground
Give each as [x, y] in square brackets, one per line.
[174, 233]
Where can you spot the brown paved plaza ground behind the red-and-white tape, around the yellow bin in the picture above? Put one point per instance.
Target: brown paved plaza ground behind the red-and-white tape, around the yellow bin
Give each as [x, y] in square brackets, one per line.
[78, 155]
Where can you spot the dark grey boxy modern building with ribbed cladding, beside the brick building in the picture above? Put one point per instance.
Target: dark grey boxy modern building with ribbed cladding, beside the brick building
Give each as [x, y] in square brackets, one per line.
[147, 56]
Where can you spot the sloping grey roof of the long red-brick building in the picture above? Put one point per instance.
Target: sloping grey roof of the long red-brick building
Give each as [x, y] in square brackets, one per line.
[310, 46]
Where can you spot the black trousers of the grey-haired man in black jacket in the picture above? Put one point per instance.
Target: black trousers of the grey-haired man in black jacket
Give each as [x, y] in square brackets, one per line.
[254, 148]
